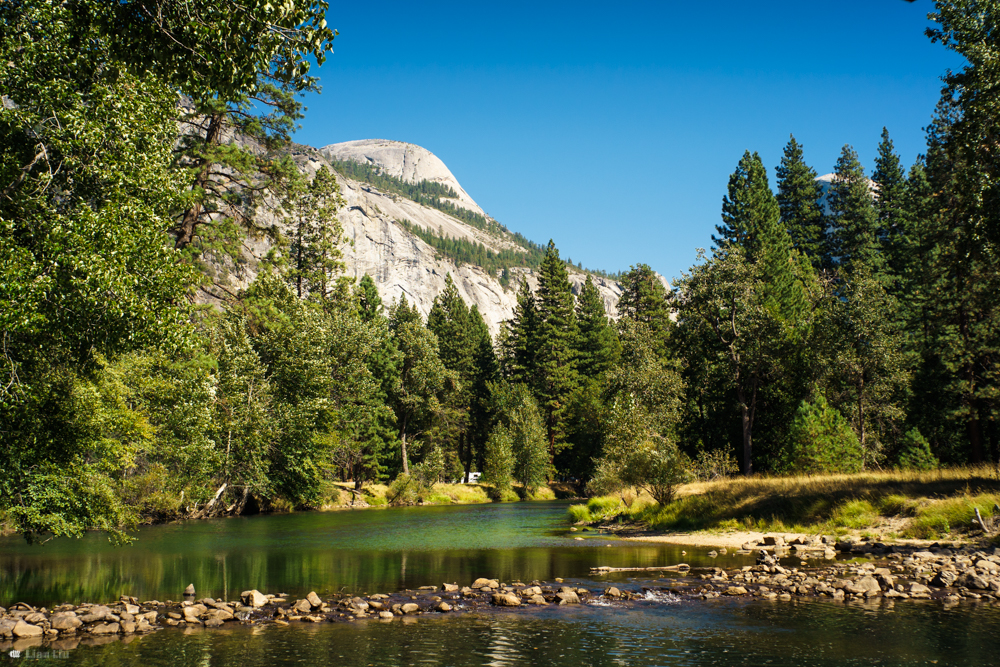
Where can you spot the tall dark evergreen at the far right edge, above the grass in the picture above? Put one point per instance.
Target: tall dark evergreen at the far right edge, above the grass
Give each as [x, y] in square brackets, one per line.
[958, 372]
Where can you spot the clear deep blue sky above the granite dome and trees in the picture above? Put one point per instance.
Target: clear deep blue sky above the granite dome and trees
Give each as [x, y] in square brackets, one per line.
[612, 128]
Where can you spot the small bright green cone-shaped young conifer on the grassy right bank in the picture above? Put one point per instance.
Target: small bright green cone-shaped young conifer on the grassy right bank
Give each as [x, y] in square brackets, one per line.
[821, 440]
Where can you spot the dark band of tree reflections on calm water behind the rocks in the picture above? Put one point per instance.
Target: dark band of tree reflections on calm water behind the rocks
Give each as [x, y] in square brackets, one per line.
[104, 576]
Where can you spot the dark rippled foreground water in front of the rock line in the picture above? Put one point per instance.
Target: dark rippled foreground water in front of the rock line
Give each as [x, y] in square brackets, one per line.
[723, 632]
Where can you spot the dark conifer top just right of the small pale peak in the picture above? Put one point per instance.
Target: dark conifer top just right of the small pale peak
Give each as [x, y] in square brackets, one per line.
[854, 237]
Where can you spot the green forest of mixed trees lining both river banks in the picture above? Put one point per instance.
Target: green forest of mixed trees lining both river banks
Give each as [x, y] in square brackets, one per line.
[806, 340]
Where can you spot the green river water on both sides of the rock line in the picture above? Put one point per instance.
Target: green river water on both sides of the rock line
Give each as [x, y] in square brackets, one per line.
[387, 550]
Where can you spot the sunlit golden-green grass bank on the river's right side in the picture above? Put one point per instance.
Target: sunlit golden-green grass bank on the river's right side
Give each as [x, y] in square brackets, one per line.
[925, 505]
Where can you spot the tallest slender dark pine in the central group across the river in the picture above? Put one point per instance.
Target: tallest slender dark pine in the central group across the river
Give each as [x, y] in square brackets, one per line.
[556, 344]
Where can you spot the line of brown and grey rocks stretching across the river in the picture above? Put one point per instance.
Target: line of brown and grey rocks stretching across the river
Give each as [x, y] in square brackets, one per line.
[938, 573]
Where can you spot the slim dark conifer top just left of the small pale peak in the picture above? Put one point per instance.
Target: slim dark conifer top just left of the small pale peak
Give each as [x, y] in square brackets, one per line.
[798, 200]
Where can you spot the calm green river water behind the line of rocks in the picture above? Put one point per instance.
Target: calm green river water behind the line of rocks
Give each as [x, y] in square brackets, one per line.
[362, 552]
